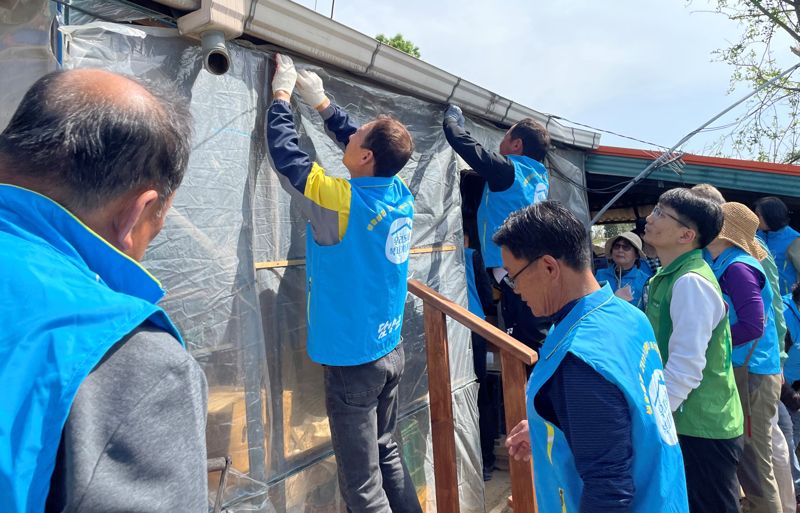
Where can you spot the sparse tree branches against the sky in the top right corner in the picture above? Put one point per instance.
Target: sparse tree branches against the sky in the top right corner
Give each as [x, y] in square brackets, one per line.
[770, 128]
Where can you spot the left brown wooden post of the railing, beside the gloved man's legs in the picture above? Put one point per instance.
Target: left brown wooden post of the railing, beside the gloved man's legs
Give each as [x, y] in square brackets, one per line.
[442, 425]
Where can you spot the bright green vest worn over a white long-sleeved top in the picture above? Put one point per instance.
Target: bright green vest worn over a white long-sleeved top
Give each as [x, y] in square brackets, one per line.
[712, 410]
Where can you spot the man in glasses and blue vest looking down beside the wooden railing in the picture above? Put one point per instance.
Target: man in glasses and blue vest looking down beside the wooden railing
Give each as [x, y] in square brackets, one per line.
[599, 426]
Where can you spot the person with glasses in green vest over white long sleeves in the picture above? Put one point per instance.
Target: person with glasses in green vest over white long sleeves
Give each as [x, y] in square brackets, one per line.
[687, 312]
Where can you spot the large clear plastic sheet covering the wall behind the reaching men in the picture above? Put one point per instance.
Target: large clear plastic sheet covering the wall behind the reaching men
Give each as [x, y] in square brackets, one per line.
[246, 327]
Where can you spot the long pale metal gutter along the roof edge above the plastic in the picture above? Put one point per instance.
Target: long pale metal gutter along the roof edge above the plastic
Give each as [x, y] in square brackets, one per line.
[305, 32]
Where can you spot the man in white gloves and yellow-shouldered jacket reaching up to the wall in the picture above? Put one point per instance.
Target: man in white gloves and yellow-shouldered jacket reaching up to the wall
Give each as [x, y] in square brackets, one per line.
[357, 247]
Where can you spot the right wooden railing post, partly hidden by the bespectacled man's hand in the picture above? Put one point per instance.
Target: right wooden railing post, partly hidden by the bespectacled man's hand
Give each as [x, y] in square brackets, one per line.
[514, 383]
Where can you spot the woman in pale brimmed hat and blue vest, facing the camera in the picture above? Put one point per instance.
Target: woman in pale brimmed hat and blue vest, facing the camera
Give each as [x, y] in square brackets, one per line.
[627, 280]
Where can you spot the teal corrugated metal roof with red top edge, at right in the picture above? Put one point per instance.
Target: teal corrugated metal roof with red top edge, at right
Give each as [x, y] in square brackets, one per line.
[752, 176]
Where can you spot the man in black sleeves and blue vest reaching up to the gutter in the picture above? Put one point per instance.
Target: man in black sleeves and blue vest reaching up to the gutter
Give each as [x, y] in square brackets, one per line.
[515, 178]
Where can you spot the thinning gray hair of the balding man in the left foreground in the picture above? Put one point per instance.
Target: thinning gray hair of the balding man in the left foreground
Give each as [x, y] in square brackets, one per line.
[92, 149]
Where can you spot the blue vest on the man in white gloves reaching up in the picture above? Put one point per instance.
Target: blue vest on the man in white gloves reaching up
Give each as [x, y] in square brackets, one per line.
[356, 289]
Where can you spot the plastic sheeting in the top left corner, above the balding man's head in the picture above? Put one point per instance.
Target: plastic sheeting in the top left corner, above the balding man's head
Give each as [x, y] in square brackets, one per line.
[24, 48]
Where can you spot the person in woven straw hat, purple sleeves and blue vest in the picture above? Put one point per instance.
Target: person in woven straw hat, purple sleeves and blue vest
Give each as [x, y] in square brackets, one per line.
[734, 257]
